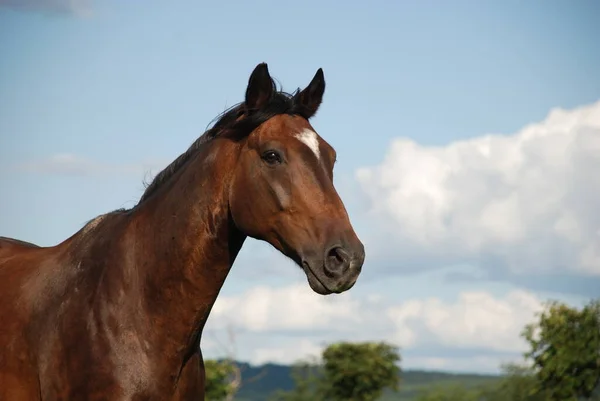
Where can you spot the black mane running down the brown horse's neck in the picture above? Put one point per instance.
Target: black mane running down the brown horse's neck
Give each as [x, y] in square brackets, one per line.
[235, 123]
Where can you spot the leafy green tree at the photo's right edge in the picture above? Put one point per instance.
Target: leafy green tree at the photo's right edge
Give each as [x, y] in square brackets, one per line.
[565, 350]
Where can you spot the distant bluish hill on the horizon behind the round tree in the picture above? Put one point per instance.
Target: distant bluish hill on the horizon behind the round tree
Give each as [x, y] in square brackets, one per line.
[259, 382]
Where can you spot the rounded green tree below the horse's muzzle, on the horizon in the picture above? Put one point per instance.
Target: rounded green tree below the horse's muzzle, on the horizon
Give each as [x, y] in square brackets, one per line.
[359, 371]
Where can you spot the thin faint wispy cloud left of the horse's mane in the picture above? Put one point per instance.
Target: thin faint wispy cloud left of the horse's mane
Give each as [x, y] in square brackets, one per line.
[70, 164]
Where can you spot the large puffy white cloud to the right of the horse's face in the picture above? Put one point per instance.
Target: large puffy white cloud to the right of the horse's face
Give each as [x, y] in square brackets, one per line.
[526, 202]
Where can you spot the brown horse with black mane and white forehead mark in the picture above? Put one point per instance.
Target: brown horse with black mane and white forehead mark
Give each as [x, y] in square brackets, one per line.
[117, 310]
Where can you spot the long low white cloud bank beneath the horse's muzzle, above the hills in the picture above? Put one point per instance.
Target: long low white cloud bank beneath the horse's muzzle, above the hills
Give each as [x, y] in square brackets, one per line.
[289, 323]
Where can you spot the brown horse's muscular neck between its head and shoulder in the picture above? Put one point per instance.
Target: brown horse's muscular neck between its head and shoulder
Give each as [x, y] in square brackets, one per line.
[185, 244]
